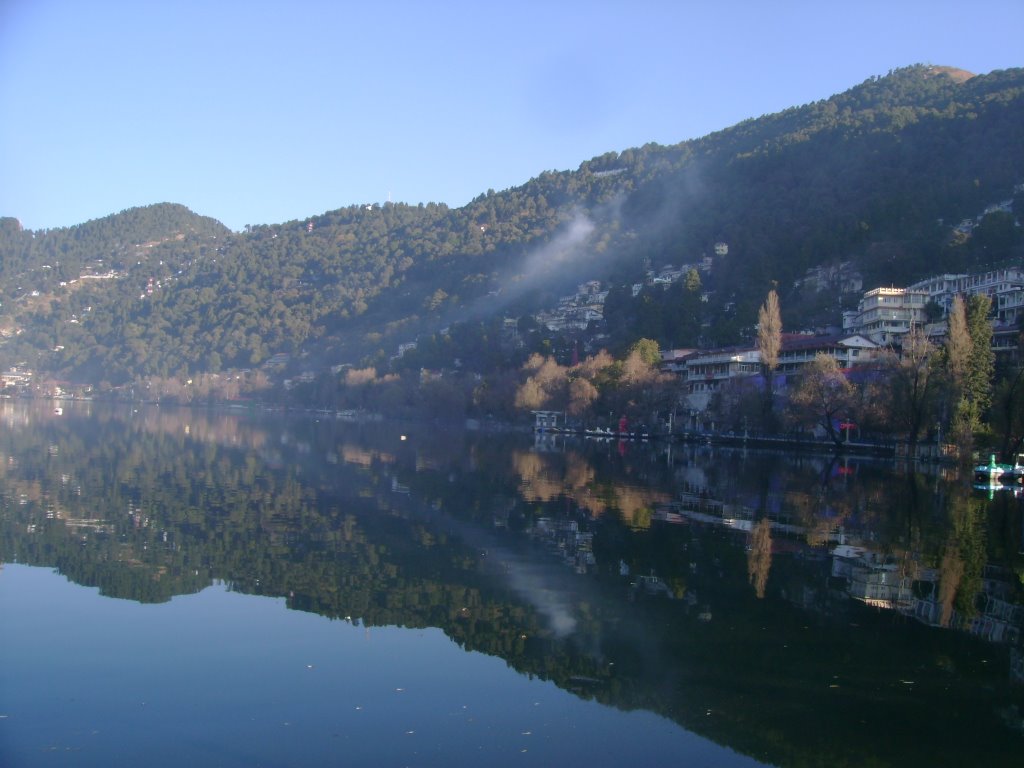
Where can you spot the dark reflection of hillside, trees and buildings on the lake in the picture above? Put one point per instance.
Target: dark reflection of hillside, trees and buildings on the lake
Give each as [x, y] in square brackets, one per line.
[799, 610]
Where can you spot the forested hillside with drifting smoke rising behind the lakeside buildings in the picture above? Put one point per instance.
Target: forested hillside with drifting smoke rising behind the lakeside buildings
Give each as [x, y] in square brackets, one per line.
[879, 177]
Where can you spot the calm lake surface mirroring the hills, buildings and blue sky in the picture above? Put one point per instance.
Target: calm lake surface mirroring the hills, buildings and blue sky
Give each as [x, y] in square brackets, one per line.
[238, 589]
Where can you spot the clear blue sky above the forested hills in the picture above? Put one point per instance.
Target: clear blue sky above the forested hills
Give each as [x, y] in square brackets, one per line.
[259, 112]
